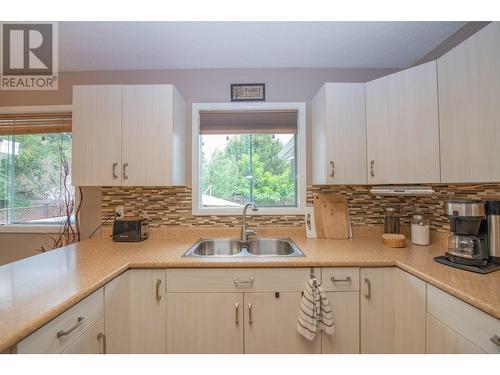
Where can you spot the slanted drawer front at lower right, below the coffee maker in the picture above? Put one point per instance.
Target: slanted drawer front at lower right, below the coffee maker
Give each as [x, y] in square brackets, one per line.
[471, 323]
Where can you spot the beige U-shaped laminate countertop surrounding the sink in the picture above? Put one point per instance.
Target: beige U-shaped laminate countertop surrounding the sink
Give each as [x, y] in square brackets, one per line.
[35, 290]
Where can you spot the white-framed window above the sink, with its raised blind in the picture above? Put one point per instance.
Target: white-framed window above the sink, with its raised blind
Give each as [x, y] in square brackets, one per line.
[249, 153]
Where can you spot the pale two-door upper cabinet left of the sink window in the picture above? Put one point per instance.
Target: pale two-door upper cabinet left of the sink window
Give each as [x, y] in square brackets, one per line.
[128, 135]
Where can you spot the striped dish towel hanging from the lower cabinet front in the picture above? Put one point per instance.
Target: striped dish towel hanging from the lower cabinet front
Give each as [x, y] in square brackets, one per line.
[315, 313]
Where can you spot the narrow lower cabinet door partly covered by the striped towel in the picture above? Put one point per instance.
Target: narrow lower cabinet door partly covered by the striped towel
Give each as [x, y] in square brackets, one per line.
[345, 340]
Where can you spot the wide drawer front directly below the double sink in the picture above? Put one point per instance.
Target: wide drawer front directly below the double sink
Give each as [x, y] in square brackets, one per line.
[238, 279]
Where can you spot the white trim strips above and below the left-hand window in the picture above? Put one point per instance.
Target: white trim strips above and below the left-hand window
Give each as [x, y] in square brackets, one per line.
[33, 228]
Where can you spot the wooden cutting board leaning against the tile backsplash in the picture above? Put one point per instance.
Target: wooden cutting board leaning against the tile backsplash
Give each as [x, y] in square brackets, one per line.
[331, 216]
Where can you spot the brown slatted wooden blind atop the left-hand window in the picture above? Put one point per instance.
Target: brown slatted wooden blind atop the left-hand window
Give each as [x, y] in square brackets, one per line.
[35, 123]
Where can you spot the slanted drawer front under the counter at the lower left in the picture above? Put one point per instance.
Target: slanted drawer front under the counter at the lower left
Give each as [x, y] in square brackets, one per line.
[45, 339]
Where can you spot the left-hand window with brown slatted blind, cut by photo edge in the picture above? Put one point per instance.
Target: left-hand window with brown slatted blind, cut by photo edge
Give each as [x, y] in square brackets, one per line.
[35, 168]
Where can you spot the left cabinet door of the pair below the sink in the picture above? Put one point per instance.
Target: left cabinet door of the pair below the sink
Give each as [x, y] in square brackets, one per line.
[199, 323]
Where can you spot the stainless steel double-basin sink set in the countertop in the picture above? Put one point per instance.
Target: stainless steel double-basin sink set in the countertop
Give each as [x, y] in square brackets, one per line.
[254, 248]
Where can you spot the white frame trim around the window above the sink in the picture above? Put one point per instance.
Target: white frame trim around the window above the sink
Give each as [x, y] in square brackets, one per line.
[301, 157]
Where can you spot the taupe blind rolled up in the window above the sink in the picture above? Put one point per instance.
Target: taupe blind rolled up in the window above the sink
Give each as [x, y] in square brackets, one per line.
[248, 122]
